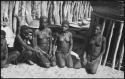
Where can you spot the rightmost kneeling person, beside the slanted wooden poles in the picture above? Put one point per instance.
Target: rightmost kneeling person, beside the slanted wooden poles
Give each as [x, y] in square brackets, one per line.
[94, 50]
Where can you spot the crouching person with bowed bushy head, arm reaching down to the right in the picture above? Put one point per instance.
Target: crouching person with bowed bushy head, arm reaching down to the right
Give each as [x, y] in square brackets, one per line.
[24, 42]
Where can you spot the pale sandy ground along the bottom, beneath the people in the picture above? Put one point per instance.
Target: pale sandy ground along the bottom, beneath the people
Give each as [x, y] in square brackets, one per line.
[34, 71]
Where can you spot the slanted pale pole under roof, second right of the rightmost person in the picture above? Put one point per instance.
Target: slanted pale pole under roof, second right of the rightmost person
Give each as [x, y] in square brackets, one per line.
[109, 43]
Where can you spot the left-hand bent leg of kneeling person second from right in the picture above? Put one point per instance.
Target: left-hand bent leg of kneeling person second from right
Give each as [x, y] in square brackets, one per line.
[60, 59]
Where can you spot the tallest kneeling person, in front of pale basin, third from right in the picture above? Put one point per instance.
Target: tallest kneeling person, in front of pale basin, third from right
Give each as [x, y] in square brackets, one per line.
[43, 38]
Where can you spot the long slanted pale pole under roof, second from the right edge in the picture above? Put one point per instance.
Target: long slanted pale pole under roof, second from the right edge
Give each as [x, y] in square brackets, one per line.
[117, 45]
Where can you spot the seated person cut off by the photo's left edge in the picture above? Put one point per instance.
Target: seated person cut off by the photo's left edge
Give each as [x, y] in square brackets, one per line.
[7, 55]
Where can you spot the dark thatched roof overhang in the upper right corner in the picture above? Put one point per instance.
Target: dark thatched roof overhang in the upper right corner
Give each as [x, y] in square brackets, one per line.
[113, 9]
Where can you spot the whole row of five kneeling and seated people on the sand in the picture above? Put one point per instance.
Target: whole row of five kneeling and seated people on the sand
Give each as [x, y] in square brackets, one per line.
[36, 43]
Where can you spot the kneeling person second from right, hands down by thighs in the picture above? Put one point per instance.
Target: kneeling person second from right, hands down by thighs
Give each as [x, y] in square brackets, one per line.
[64, 47]
